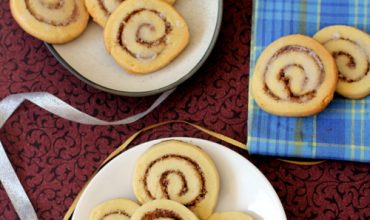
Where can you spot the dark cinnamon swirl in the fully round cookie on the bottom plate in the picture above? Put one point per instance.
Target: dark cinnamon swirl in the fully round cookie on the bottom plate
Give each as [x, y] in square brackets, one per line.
[184, 188]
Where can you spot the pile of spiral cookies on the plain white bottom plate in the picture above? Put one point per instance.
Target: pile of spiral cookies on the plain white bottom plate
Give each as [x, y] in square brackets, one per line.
[172, 180]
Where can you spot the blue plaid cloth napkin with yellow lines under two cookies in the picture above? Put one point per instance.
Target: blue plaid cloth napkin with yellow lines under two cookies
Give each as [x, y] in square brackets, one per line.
[340, 132]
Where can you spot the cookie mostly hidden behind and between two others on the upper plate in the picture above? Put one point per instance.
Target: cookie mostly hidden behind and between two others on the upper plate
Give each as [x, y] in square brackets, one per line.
[100, 10]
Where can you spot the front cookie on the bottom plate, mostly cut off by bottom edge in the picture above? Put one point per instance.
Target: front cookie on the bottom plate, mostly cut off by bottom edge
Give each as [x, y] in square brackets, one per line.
[163, 209]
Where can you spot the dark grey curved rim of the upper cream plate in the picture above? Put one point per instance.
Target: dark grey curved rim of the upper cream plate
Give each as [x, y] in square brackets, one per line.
[210, 47]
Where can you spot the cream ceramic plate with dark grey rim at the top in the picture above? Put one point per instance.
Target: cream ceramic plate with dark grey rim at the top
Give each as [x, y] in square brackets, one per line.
[87, 58]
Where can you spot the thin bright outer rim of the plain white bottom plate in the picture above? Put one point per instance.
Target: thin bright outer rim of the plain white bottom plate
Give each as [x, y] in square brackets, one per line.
[192, 140]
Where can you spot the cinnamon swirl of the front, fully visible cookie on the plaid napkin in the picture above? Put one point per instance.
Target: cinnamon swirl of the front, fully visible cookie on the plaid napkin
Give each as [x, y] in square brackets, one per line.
[287, 80]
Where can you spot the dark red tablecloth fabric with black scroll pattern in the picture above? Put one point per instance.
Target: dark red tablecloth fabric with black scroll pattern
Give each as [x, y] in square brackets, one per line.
[54, 157]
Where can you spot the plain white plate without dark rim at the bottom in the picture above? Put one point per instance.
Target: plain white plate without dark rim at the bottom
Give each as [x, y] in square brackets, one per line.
[243, 186]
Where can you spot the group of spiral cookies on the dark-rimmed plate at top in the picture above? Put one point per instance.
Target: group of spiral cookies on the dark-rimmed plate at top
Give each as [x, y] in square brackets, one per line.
[141, 35]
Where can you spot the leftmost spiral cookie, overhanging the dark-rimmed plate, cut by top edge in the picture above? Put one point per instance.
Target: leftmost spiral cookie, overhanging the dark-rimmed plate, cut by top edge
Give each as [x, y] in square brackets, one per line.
[53, 21]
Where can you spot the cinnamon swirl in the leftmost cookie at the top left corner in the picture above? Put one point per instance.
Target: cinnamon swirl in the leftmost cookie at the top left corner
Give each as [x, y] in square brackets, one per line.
[53, 7]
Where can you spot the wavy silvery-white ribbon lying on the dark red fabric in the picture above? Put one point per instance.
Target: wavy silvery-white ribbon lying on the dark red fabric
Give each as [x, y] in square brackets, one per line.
[8, 105]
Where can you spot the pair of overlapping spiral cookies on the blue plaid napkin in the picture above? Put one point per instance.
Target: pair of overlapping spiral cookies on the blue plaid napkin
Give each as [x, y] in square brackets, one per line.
[297, 75]
